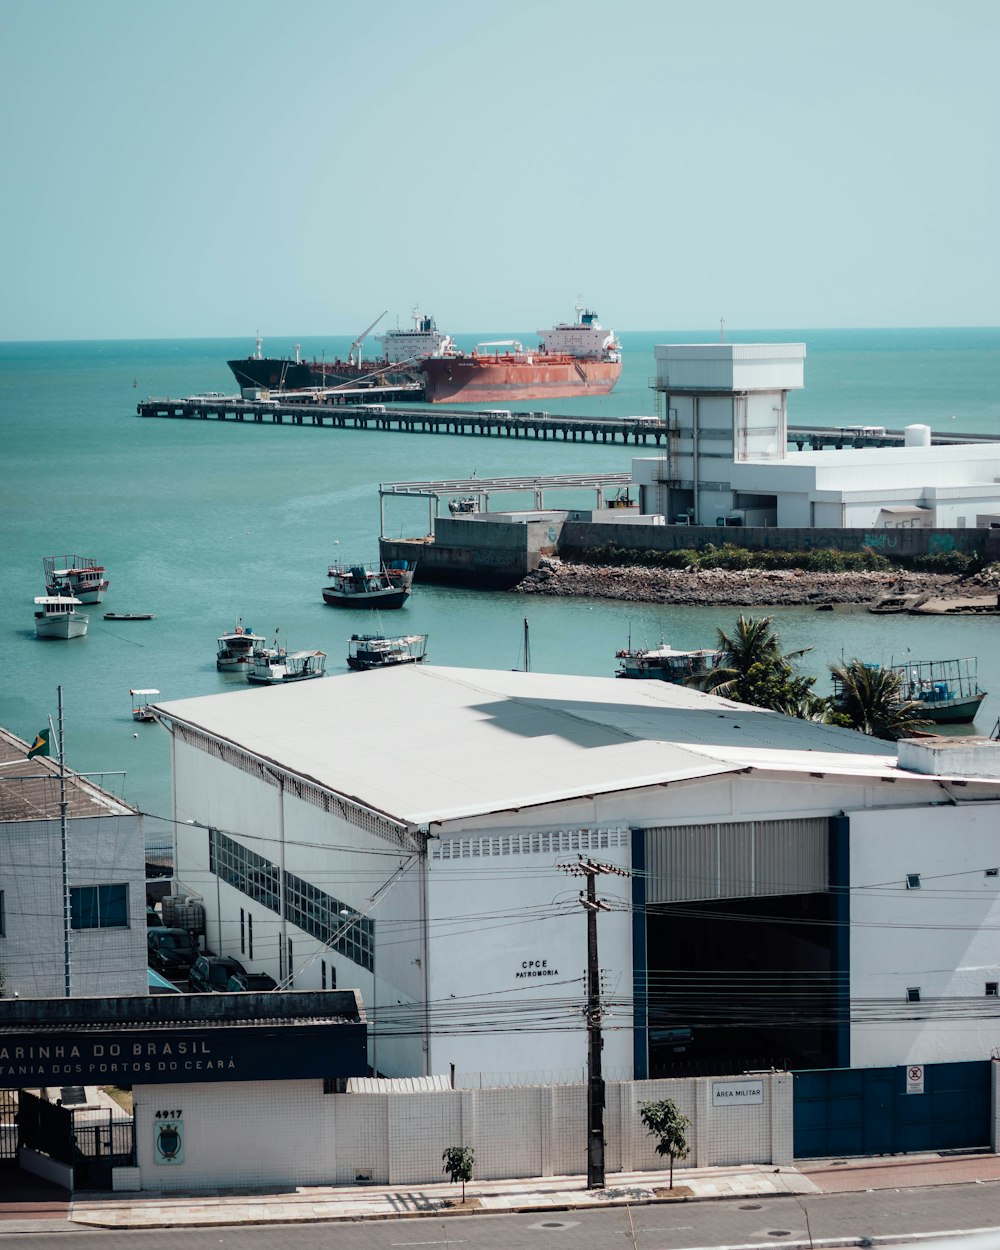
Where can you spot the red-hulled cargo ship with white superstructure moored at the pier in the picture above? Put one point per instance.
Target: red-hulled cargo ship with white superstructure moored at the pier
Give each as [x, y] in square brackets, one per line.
[576, 358]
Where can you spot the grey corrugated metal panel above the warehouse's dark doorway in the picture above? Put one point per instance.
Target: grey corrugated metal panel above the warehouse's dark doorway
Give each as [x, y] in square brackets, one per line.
[738, 861]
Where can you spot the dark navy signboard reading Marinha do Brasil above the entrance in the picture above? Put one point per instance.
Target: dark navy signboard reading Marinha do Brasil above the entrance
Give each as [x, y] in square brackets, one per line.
[243, 1053]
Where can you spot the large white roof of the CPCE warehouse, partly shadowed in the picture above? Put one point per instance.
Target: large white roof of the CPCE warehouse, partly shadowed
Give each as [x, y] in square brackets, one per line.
[427, 744]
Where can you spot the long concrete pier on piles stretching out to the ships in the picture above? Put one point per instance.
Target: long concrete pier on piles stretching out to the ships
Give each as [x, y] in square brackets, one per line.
[409, 419]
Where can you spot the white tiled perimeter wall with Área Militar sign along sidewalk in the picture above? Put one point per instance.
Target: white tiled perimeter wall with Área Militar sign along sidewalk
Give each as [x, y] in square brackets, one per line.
[292, 1133]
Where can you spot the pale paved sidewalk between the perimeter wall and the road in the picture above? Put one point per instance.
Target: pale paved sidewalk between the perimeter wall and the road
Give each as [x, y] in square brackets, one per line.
[322, 1203]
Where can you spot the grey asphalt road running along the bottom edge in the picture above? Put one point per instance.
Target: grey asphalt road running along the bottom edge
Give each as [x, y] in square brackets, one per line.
[771, 1222]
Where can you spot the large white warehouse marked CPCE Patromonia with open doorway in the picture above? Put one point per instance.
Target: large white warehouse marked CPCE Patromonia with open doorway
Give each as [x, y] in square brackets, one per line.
[801, 896]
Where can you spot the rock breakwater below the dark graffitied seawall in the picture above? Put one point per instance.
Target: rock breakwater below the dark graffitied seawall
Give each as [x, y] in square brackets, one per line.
[712, 588]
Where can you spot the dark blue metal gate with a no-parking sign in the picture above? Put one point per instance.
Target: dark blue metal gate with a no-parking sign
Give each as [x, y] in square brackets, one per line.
[868, 1112]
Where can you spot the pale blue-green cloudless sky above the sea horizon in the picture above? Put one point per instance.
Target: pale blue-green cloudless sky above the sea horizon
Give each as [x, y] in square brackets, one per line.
[214, 168]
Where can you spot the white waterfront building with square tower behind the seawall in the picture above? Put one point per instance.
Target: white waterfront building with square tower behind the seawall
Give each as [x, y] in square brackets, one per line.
[726, 457]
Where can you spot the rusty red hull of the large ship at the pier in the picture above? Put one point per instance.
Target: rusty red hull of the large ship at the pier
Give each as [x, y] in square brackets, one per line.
[491, 379]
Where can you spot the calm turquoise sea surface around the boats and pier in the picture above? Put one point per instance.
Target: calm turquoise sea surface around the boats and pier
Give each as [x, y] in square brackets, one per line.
[203, 523]
